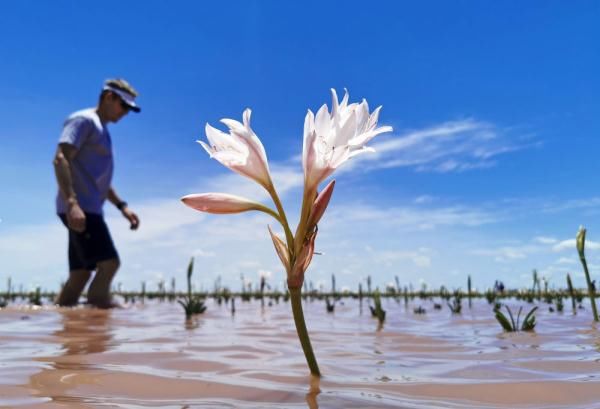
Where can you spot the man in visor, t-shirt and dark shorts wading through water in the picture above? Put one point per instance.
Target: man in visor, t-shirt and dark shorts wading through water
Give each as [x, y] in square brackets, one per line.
[83, 165]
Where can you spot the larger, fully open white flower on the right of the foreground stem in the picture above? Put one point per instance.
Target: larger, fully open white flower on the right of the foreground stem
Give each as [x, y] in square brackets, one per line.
[330, 139]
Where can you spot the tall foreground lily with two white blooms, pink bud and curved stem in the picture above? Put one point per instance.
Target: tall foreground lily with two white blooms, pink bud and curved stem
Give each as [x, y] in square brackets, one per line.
[330, 139]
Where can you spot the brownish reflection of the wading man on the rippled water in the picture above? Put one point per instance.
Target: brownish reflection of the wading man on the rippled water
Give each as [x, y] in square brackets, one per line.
[84, 332]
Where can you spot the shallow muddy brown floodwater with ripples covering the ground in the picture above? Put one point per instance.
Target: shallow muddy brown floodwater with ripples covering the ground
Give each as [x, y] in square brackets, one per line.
[147, 355]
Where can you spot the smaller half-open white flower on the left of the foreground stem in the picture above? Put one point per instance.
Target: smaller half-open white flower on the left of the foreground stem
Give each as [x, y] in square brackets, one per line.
[240, 150]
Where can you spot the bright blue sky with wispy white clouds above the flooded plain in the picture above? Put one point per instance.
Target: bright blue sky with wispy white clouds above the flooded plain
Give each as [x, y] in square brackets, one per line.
[490, 170]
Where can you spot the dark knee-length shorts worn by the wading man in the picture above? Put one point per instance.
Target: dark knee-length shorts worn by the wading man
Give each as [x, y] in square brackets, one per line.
[91, 246]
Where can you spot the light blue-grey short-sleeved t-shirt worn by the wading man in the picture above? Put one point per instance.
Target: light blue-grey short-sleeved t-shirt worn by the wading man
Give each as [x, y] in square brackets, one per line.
[92, 167]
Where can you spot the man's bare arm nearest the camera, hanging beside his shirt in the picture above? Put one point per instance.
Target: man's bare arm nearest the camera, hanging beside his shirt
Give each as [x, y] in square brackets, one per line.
[62, 169]
